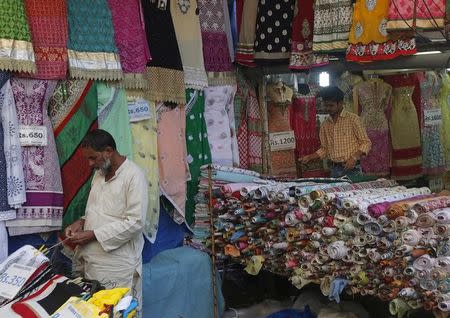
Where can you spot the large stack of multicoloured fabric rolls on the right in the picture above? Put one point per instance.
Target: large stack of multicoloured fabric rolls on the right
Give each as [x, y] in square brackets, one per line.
[370, 238]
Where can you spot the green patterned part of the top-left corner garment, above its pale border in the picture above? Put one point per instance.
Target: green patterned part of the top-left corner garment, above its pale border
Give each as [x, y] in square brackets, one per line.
[13, 21]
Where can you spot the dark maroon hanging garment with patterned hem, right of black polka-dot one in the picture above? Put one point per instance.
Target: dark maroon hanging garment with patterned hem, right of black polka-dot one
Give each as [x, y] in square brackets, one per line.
[302, 56]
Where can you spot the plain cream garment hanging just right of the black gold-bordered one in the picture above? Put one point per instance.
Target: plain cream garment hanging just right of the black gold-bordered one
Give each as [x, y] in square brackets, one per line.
[187, 29]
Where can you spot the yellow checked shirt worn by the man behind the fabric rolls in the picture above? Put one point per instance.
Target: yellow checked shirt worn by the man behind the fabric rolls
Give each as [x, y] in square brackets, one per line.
[340, 140]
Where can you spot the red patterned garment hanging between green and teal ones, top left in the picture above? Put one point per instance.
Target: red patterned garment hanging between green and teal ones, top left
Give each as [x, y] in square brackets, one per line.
[48, 27]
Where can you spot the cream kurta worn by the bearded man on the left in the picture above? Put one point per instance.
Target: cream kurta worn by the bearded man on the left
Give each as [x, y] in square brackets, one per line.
[116, 212]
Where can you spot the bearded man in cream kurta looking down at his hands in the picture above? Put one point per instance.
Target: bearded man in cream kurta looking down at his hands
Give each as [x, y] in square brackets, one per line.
[109, 237]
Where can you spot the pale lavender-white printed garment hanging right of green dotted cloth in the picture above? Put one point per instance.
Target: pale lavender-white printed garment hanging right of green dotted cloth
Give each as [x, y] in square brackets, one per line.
[218, 100]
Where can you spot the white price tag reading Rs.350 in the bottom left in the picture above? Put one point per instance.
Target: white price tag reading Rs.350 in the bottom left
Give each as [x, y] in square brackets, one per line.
[13, 279]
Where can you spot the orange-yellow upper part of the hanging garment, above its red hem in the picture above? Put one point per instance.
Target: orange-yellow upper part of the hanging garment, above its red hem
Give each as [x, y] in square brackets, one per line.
[369, 22]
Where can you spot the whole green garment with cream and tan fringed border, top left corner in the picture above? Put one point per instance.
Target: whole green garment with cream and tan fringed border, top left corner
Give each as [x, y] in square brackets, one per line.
[16, 49]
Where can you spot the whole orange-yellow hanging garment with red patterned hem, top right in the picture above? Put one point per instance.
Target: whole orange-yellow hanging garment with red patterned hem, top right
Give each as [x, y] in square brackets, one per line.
[369, 40]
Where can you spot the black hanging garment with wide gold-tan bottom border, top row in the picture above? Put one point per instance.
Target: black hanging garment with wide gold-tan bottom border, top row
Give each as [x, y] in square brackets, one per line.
[165, 70]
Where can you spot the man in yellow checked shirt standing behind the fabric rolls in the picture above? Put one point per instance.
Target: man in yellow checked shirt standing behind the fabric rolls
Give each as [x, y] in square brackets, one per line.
[343, 137]
